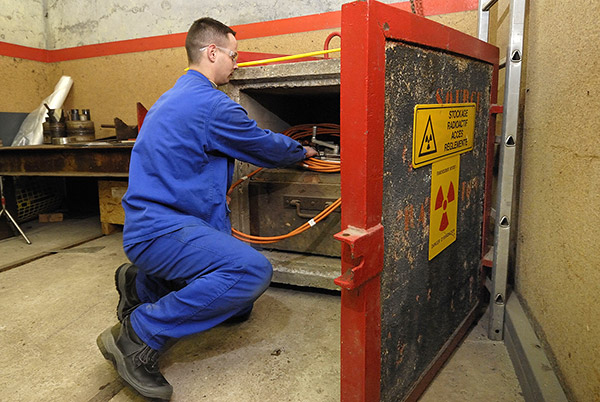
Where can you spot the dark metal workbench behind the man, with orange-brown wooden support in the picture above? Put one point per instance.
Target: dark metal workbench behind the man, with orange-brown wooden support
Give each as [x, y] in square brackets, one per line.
[109, 162]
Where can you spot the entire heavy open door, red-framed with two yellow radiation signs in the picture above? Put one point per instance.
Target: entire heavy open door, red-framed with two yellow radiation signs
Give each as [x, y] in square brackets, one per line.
[411, 90]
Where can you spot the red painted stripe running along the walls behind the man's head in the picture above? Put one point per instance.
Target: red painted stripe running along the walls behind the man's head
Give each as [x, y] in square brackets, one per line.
[246, 31]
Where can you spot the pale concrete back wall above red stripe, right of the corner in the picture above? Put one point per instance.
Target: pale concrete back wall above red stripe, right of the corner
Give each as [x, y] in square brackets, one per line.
[76, 23]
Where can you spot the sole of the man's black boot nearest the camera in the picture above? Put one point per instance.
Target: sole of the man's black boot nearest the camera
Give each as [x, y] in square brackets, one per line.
[110, 351]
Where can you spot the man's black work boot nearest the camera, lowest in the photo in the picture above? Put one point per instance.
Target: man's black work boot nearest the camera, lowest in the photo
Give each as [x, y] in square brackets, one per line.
[136, 362]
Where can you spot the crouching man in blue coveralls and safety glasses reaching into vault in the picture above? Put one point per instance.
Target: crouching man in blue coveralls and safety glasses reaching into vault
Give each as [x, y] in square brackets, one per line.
[190, 274]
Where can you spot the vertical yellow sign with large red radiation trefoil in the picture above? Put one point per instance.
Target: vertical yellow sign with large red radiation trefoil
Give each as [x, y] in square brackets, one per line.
[444, 204]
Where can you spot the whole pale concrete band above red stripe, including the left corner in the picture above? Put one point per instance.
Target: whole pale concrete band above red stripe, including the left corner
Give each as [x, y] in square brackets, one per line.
[61, 24]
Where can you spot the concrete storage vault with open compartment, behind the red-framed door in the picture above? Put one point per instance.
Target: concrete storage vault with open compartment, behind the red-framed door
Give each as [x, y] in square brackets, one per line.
[276, 201]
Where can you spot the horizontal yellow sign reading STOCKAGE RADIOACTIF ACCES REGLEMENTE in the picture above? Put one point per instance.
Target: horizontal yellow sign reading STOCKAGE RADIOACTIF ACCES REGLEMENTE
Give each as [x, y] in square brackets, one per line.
[442, 130]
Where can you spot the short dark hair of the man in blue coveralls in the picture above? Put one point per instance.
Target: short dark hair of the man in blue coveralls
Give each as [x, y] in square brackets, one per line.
[204, 32]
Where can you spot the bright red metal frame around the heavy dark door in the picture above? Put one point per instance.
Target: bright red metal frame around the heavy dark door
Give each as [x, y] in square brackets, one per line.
[366, 25]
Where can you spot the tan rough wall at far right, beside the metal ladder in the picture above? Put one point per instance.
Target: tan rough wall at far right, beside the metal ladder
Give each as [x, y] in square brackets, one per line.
[558, 269]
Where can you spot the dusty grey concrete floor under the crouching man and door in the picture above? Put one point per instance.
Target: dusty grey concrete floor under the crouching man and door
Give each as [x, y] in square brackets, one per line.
[56, 300]
